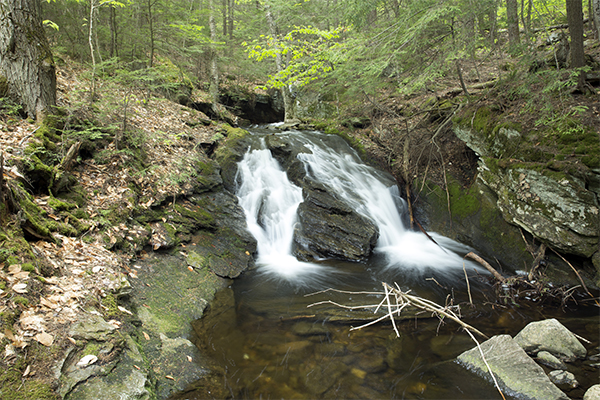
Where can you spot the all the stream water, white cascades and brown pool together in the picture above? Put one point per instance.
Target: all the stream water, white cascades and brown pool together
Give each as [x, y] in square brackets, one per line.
[270, 340]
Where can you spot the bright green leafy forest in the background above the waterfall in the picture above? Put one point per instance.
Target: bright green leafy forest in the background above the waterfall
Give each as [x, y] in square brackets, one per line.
[355, 46]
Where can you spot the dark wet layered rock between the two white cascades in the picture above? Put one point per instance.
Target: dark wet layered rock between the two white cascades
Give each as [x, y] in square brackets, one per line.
[327, 227]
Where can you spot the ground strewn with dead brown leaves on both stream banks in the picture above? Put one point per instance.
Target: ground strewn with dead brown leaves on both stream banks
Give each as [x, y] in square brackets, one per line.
[45, 289]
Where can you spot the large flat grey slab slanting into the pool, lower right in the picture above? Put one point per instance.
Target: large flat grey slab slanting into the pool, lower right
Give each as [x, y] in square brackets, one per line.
[517, 374]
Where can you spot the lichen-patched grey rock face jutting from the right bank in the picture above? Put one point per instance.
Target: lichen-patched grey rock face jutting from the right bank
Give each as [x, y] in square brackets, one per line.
[556, 204]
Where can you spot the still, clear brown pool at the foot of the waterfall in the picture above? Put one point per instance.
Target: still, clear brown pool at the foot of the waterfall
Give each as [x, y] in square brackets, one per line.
[266, 343]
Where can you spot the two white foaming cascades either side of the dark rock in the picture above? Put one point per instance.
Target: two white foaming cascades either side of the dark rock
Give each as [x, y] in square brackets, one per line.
[270, 201]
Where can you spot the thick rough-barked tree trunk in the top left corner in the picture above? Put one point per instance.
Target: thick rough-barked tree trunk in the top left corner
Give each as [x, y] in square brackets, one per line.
[25, 58]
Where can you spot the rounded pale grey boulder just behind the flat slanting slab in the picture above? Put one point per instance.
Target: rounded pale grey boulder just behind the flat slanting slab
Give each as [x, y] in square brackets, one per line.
[550, 335]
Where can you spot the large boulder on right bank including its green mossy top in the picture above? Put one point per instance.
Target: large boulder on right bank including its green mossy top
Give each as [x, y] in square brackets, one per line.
[555, 200]
